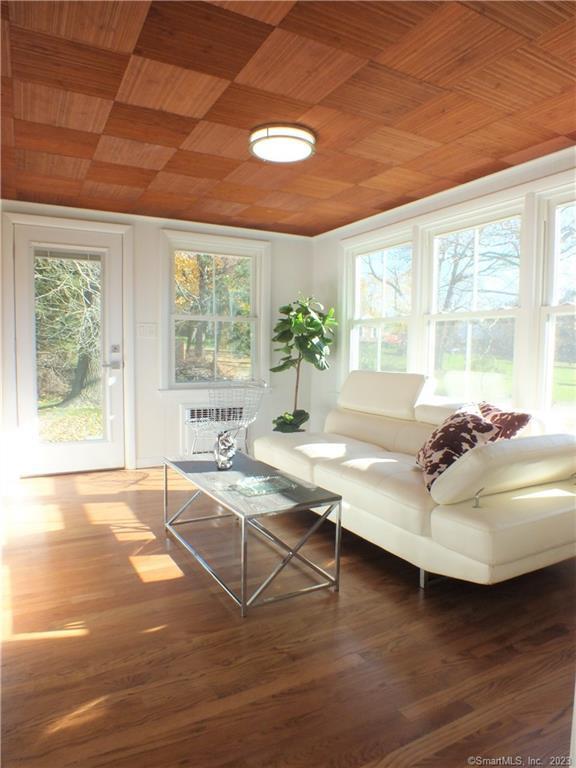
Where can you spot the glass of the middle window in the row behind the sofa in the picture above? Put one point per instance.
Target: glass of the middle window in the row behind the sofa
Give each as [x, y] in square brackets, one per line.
[476, 279]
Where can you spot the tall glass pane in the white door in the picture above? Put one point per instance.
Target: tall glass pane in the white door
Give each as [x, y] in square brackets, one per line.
[68, 314]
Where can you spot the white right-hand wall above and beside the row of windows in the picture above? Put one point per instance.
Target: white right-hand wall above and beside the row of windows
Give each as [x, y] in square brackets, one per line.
[329, 281]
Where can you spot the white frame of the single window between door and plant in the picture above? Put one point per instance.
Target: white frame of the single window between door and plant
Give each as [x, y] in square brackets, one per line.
[259, 252]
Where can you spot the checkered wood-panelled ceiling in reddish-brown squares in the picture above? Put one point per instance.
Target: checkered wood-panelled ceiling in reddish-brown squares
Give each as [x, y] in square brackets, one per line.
[145, 107]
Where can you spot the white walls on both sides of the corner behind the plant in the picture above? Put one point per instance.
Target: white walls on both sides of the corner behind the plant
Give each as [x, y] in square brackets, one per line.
[298, 265]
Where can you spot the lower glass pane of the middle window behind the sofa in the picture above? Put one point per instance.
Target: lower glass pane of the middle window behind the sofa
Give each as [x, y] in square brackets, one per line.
[474, 359]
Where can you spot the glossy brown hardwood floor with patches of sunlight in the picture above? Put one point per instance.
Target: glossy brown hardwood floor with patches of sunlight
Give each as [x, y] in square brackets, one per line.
[120, 651]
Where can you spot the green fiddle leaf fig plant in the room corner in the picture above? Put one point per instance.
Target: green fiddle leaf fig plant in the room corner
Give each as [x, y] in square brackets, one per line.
[304, 333]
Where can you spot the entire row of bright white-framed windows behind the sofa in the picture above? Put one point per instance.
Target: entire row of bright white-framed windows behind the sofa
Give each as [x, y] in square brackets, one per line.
[479, 297]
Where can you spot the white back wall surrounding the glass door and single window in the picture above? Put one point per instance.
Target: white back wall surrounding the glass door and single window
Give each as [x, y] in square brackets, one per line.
[157, 422]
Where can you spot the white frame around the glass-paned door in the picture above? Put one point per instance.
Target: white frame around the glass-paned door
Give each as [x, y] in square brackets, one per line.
[8, 378]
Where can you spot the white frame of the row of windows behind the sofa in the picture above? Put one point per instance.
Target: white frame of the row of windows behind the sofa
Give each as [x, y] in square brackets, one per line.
[535, 202]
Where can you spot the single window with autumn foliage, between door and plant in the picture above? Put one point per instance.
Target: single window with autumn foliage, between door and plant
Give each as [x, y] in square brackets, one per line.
[216, 294]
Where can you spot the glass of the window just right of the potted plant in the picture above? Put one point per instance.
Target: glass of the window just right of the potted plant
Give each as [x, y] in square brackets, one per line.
[383, 305]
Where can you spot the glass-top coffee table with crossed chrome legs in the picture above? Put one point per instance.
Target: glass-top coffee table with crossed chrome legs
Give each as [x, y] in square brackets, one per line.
[251, 491]
